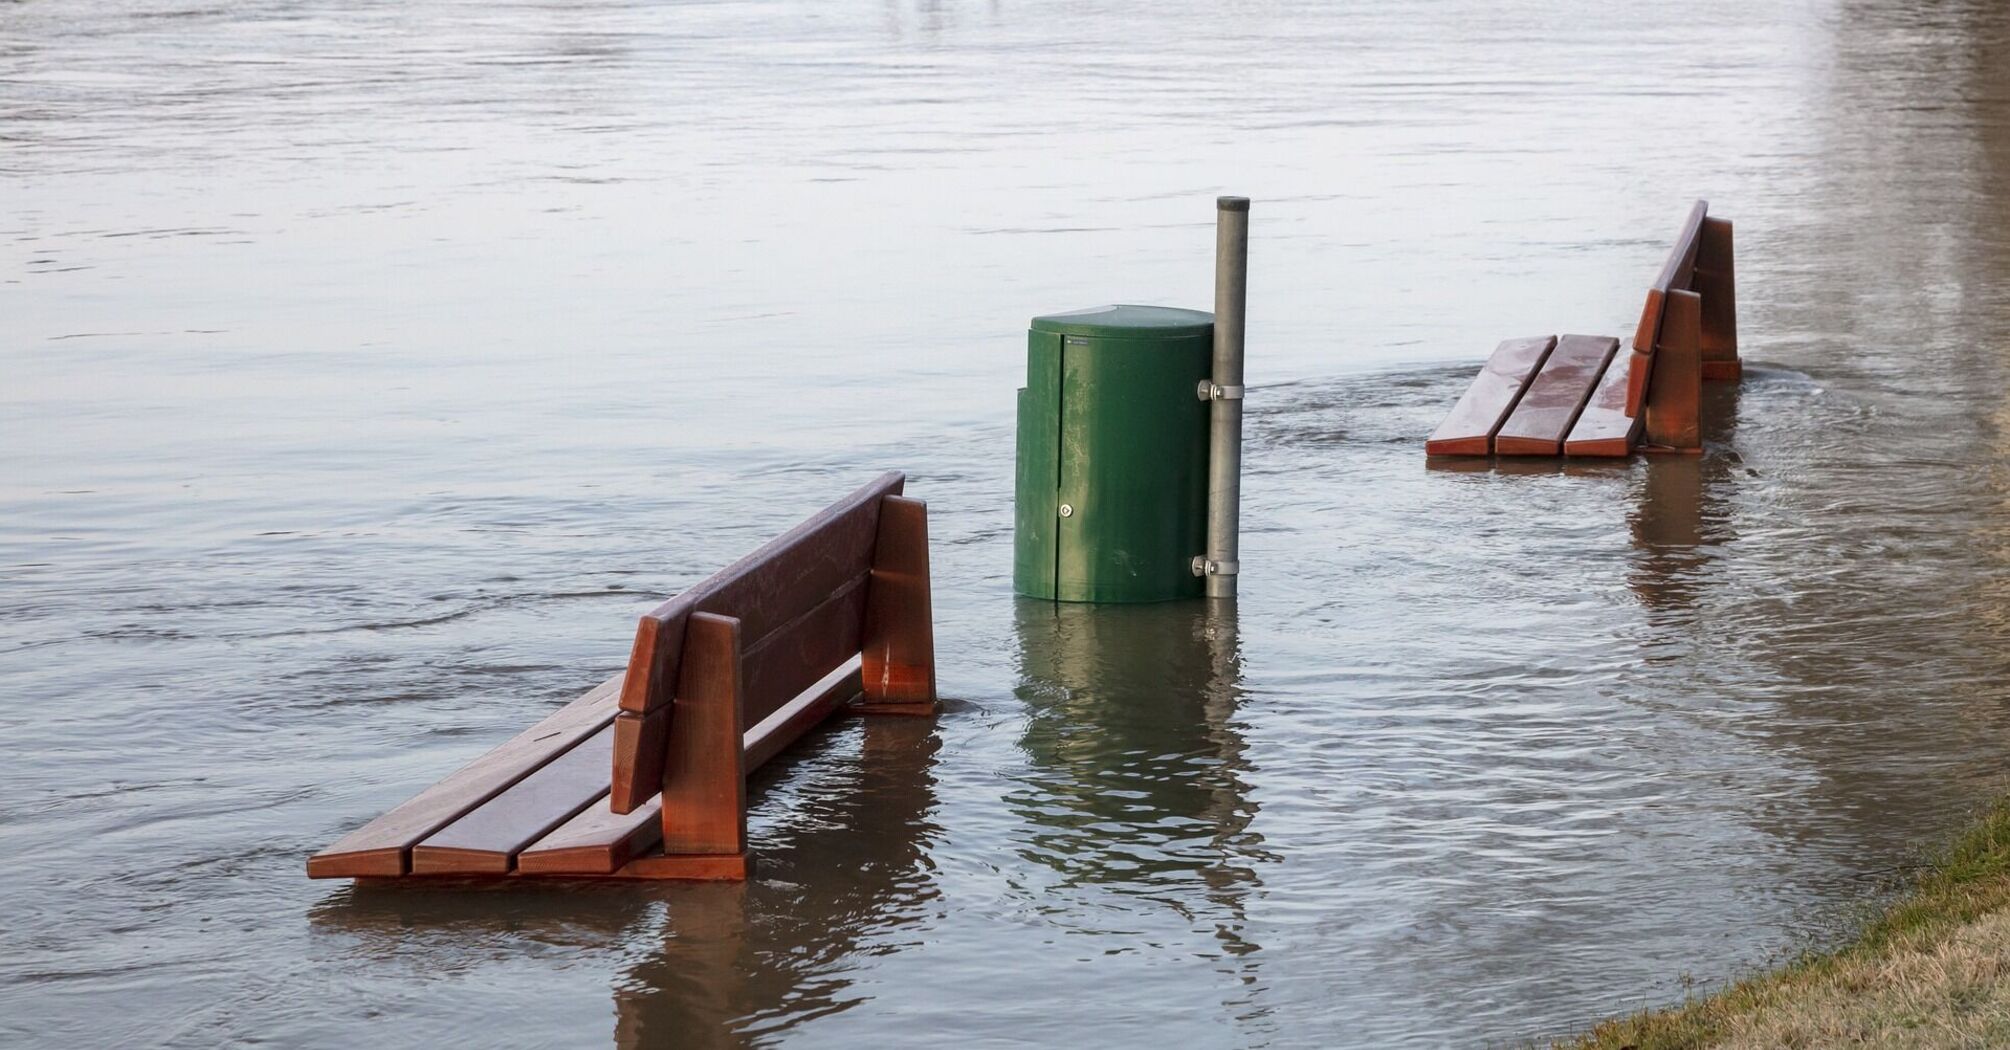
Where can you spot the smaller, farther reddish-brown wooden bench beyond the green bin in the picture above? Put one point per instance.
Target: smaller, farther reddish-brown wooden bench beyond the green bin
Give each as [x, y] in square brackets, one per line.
[1583, 397]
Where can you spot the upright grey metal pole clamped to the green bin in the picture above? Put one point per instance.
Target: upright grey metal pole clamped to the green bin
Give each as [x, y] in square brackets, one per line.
[1225, 417]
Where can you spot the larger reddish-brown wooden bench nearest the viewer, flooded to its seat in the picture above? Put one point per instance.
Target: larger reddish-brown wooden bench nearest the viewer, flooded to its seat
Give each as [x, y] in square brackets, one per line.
[644, 777]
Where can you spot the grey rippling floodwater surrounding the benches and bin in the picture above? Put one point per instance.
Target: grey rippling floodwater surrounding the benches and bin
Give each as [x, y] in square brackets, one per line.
[367, 369]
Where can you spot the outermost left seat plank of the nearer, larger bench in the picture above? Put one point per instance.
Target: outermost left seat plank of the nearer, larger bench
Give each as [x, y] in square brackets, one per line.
[383, 846]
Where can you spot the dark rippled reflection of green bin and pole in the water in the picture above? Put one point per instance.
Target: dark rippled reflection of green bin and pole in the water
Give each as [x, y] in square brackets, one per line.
[1139, 767]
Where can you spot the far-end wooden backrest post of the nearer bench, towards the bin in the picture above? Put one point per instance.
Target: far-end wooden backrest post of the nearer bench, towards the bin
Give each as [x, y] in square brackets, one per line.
[899, 633]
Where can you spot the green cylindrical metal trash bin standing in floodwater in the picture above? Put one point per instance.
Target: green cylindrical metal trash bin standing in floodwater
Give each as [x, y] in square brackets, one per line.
[1113, 490]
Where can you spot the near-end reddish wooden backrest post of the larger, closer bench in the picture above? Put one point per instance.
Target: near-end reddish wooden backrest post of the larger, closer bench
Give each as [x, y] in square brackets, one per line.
[705, 783]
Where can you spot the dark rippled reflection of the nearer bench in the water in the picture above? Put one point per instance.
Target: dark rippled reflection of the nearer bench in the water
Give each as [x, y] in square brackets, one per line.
[841, 840]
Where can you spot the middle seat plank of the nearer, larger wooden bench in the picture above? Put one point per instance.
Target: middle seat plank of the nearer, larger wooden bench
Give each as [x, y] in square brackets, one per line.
[487, 840]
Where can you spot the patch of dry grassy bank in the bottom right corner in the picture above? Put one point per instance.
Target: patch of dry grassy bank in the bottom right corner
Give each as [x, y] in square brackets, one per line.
[1933, 971]
